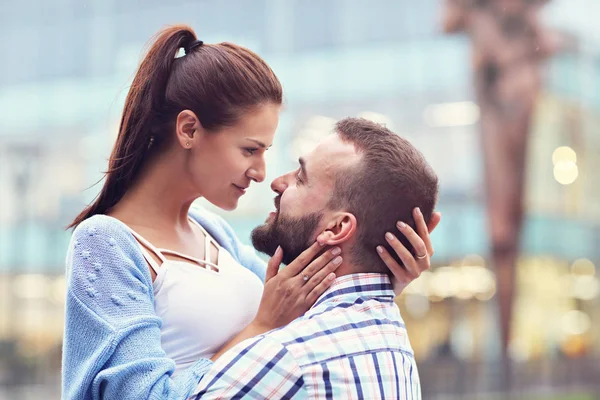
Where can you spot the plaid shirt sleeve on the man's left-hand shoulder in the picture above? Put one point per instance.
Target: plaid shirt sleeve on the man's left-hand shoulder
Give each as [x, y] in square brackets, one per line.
[258, 368]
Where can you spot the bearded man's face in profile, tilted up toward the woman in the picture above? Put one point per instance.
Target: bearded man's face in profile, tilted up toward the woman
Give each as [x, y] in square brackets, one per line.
[301, 205]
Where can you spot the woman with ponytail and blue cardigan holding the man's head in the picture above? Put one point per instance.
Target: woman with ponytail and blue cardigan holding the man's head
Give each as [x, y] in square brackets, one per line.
[155, 290]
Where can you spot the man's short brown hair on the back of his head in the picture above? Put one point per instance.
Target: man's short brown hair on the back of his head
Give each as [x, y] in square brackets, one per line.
[390, 180]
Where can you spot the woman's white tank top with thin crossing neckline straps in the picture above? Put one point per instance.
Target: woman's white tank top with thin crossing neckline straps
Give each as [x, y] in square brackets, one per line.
[202, 305]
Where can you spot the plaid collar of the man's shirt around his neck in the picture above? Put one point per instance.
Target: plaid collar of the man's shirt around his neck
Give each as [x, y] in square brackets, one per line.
[369, 285]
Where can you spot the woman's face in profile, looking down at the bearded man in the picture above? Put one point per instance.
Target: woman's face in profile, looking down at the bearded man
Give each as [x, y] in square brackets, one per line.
[224, 163]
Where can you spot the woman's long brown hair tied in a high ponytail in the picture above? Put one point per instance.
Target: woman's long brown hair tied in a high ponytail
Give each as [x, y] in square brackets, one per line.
[218, 82]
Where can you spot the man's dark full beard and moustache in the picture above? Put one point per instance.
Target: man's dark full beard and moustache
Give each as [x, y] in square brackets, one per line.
[294, 235]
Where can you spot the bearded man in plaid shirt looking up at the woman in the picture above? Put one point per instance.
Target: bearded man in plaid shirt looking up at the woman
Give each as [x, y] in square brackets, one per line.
[352, 344]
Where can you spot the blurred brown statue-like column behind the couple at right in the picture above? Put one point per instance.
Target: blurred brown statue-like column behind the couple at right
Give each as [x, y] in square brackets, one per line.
[508, 47]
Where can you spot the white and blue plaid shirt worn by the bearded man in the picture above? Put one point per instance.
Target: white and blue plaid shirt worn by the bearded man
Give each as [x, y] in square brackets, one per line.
[352, 344]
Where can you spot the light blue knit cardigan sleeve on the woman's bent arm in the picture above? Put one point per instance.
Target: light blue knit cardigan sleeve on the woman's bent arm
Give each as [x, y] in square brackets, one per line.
[111, 345]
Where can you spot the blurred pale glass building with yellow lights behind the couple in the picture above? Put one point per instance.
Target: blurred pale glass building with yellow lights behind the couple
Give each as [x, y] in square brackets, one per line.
[66, 72]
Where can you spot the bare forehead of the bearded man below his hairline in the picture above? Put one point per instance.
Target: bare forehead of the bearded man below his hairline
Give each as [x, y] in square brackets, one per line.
[330, 155]
